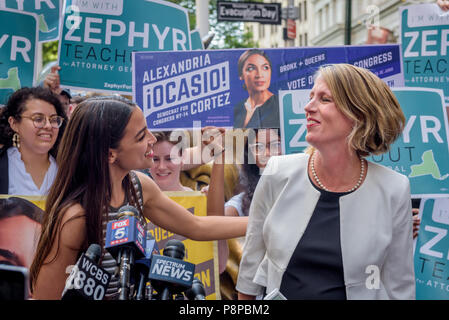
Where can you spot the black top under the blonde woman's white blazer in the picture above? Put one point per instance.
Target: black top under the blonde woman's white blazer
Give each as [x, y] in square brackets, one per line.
[315, 270]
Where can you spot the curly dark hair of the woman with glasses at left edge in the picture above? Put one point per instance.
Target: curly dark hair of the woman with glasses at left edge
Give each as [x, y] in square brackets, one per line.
[16, 106]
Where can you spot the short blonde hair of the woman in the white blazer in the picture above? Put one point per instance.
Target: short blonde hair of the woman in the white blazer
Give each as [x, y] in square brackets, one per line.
[373, 108]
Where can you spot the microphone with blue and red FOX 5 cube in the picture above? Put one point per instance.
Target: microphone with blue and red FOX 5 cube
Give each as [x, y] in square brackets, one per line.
[125, 241]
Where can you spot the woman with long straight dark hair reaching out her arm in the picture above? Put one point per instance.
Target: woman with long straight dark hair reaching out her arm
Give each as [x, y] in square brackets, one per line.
[106, 139]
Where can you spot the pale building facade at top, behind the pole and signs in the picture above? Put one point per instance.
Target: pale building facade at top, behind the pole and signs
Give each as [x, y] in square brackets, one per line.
[322, 23]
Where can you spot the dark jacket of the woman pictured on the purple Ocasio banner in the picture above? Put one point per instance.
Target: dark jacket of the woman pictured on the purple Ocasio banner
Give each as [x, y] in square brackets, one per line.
[265, 116]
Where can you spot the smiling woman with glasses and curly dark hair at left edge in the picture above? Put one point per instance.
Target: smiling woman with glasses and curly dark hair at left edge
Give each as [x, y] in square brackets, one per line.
[31, 126]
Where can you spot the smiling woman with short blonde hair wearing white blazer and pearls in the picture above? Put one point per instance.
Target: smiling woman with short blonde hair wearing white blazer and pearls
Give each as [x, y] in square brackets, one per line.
[328, 224]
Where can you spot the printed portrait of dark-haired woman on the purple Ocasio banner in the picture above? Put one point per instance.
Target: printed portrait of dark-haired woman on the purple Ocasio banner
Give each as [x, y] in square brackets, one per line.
[261, 109]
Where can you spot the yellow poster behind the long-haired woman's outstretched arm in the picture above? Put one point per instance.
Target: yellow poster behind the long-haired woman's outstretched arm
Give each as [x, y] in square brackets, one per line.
[202, 253]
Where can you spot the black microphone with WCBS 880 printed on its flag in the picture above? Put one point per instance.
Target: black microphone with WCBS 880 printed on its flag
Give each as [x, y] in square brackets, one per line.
[87, 280]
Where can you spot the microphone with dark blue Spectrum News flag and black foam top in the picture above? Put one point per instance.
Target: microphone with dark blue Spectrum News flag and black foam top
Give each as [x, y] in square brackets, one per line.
[169, 273]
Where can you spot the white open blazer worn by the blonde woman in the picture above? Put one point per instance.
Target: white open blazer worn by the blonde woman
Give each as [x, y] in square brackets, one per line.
[375, 230]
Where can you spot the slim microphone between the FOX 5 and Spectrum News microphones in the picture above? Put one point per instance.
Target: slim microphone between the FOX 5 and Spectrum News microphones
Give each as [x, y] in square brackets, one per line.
[142, 269]
